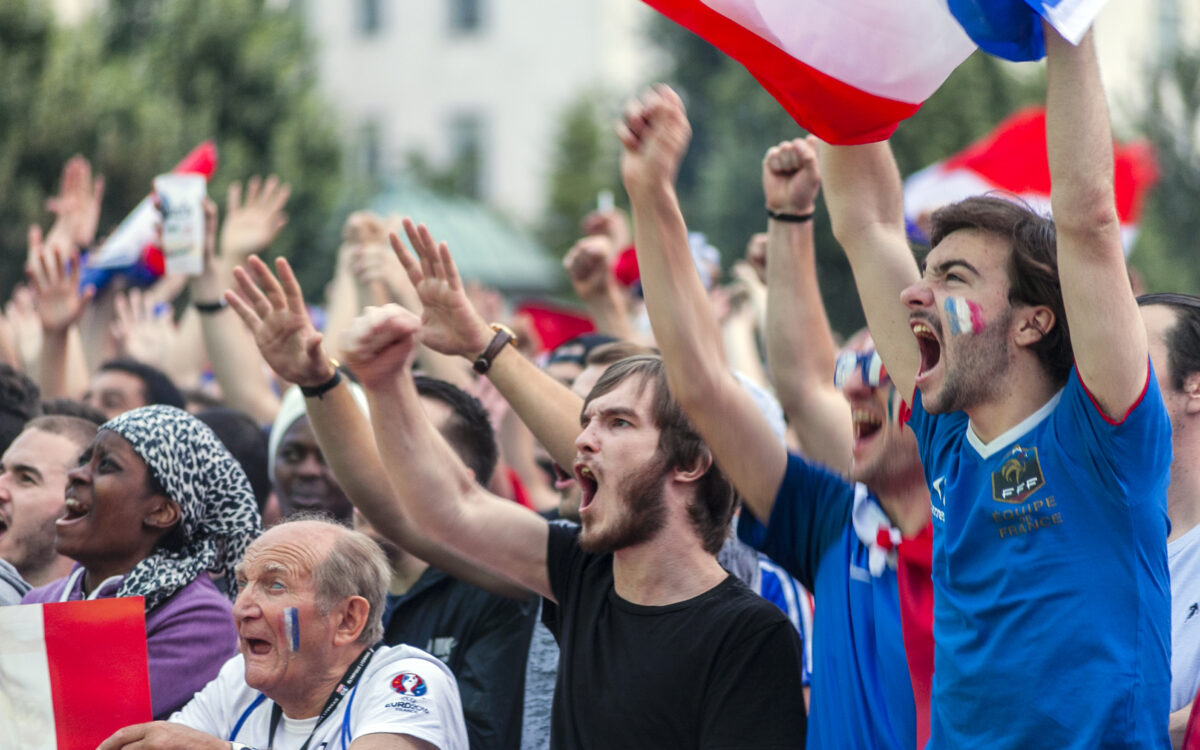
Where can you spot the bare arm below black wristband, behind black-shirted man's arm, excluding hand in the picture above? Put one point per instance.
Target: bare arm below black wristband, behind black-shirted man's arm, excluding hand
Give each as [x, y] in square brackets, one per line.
[347, 443]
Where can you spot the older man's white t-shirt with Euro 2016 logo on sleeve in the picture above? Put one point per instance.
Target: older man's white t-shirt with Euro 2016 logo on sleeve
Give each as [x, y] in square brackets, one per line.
[404, 692]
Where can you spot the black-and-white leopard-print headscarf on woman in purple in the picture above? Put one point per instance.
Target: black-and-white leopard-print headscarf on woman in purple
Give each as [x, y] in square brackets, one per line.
[219, 518]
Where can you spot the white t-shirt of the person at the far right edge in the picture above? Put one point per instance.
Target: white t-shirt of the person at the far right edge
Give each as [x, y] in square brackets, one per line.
[1184, 562]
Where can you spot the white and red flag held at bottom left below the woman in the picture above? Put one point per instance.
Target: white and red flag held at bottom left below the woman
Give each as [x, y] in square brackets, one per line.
[73, 674]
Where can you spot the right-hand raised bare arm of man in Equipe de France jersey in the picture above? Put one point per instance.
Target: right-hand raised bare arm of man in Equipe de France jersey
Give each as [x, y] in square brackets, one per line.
[1107, 333]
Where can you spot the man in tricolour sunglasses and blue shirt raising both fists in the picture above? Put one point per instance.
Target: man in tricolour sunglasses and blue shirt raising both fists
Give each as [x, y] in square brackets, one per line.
[820, 527]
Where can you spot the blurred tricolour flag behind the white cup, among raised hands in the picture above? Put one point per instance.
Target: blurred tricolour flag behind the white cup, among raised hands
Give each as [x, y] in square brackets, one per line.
[133, 250]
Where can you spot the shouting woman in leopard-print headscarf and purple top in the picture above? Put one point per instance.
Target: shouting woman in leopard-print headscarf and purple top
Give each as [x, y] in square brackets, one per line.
[155, 509]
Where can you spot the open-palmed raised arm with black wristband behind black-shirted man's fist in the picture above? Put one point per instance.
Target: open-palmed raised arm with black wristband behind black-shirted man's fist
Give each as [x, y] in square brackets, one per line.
[275, 313]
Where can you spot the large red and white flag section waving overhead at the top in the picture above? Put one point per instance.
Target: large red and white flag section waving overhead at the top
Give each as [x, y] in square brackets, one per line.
[848, 71]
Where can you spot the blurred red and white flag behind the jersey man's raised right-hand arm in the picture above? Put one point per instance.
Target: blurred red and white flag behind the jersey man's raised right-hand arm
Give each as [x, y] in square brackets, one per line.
[1013, 159]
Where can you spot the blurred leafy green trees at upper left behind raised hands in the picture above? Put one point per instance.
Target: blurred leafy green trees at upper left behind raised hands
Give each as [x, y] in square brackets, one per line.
[137, 87]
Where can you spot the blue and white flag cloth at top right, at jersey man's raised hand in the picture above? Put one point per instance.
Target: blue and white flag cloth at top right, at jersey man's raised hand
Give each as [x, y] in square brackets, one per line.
[1012, 29]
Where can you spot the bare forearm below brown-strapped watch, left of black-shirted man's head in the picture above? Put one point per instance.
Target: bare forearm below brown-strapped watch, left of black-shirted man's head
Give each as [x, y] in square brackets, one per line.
[548, 407]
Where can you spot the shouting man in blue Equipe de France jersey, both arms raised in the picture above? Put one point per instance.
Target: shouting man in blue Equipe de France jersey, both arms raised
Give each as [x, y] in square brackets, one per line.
[1043, 435]
